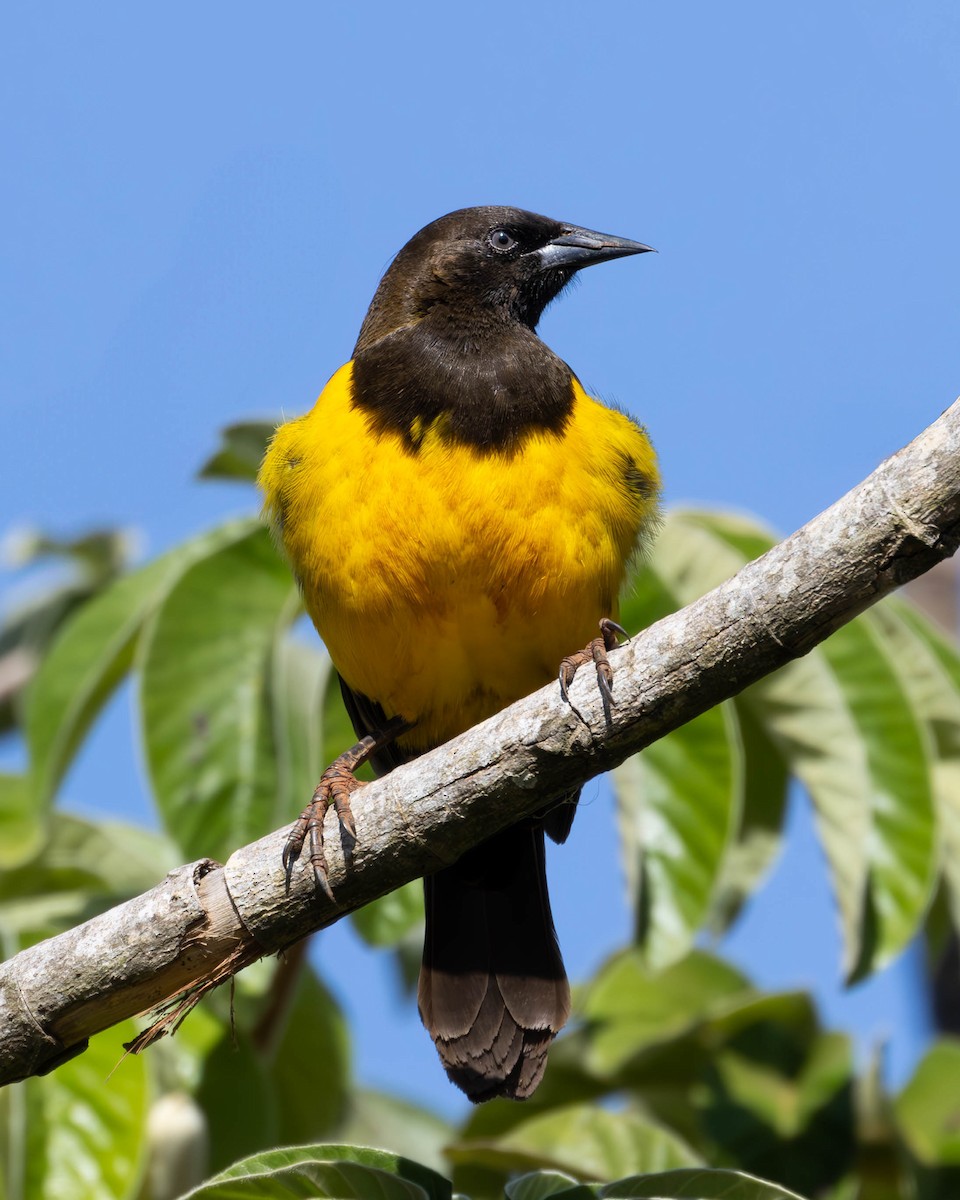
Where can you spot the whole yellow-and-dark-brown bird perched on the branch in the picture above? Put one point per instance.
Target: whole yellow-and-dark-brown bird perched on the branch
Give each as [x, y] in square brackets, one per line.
[461, 517]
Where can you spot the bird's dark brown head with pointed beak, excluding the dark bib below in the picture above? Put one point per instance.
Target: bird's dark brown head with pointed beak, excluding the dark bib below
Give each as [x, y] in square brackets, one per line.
[476, 269]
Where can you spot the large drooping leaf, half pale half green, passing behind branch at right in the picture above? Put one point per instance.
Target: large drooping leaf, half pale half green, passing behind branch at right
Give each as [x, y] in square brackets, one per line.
[875, 806]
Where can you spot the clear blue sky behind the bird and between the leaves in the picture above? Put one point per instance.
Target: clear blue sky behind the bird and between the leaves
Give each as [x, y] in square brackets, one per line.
[200, 200]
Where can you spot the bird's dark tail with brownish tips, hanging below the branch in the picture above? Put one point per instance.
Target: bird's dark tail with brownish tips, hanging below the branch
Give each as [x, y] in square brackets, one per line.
[494, 993]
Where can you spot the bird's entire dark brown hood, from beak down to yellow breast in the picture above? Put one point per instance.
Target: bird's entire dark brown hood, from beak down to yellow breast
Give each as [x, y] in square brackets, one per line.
[449, 344]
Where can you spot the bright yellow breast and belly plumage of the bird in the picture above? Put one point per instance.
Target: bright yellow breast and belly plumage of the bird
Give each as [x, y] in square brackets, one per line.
[447, 580]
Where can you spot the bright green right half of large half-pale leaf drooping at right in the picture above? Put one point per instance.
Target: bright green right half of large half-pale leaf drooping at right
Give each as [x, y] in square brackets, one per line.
[903, 848]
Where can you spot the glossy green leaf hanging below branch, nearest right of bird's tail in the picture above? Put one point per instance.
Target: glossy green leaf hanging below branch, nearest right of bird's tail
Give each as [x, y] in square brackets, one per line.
[680, 803]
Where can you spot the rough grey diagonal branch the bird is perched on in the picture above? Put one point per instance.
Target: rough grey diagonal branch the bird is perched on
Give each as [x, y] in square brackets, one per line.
[206, 922]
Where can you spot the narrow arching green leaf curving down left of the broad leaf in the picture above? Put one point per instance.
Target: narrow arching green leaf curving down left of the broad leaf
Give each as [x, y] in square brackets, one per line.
[91, 657]
